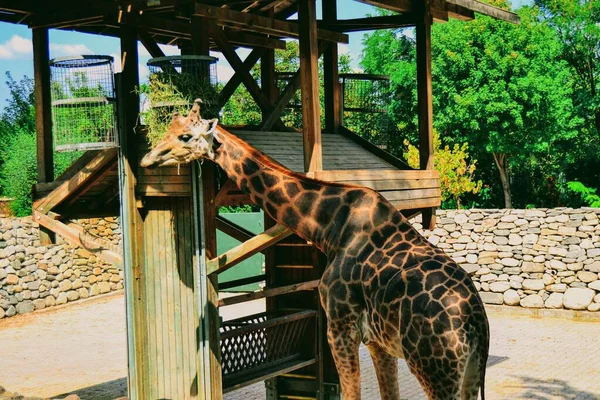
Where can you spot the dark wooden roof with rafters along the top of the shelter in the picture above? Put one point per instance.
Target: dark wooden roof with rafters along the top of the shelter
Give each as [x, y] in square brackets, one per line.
[259, 23]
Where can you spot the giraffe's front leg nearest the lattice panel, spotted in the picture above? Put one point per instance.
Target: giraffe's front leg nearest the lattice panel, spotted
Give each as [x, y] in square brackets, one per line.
[344, 340]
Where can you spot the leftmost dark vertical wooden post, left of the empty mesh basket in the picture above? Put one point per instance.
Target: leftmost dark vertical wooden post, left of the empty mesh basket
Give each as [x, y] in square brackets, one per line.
[43, 119]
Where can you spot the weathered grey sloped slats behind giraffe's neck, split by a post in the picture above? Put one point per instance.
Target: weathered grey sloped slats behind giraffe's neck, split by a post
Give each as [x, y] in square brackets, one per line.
[339, 152]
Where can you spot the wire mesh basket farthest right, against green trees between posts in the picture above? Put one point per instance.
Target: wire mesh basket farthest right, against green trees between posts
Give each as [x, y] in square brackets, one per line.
[365, 100]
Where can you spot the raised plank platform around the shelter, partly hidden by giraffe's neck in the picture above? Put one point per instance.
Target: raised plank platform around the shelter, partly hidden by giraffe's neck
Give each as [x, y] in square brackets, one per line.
[93, 190]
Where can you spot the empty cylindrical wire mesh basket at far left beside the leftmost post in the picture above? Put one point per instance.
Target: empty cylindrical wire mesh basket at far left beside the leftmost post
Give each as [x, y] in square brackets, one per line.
[83, 103]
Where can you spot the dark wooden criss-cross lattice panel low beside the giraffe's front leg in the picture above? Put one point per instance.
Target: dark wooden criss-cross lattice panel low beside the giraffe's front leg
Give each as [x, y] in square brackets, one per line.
[262, 341]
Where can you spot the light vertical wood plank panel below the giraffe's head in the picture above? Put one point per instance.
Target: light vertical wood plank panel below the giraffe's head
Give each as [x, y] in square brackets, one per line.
[171, 312]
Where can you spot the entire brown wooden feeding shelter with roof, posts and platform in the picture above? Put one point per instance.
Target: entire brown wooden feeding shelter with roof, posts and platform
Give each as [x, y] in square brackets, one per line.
[178, 347]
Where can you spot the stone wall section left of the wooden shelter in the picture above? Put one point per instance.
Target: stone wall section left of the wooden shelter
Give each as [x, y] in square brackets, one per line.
[33, 277]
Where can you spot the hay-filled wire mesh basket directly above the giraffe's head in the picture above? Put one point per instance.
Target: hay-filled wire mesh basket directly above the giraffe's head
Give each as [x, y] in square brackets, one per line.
[174, 83]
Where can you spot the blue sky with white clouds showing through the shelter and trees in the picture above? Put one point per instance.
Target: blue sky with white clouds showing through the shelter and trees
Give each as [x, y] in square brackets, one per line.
[16, 48]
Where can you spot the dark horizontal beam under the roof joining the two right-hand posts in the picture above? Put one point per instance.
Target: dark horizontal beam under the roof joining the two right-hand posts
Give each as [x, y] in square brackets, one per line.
[370, 23]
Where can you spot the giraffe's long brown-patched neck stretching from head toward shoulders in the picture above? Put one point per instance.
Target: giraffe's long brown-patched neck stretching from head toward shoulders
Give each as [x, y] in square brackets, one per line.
[301, 204]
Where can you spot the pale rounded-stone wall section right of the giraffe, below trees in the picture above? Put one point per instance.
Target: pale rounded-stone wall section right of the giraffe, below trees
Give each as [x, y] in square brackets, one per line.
[539, 258]
